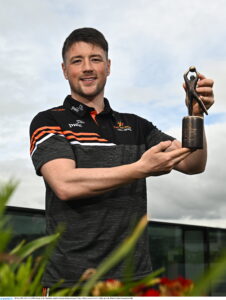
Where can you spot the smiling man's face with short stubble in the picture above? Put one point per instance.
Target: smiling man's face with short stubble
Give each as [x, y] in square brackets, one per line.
[86, 67]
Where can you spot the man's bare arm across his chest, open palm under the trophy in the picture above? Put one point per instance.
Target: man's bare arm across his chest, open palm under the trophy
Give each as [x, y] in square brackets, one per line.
[69, 182]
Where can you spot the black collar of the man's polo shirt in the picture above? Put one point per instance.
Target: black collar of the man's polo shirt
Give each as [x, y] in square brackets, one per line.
[81, 109]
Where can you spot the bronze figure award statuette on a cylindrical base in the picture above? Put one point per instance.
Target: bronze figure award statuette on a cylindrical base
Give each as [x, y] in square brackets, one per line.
[192, 126]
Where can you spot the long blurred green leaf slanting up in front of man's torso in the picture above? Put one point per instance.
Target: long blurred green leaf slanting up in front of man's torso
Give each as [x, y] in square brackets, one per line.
[116, 256]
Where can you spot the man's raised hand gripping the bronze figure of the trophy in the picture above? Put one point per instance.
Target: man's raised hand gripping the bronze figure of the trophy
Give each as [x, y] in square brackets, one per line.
[205, 91]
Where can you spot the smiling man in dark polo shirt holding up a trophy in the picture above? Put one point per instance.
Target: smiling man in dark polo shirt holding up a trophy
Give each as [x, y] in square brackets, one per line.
[94, 162]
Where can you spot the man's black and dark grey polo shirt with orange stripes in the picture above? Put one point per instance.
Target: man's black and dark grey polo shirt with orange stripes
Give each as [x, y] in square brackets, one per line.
[94, 226]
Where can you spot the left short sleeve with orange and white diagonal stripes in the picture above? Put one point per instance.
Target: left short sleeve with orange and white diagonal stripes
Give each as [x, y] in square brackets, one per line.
[47, 141]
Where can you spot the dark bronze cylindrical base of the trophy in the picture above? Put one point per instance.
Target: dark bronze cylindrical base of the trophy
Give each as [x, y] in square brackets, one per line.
[192, 132]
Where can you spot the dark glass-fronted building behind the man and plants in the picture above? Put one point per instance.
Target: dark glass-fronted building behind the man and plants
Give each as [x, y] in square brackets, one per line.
[183, 250]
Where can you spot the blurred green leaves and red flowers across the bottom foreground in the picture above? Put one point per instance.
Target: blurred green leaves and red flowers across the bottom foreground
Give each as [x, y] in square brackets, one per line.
[21, 271]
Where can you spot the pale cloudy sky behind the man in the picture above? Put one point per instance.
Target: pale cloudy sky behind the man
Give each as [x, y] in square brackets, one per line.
[152, 43]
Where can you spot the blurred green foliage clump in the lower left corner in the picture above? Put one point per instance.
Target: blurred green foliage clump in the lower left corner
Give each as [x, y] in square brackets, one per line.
[20, 272]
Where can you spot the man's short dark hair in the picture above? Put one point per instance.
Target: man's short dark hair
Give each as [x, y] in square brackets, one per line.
[87, 35]
